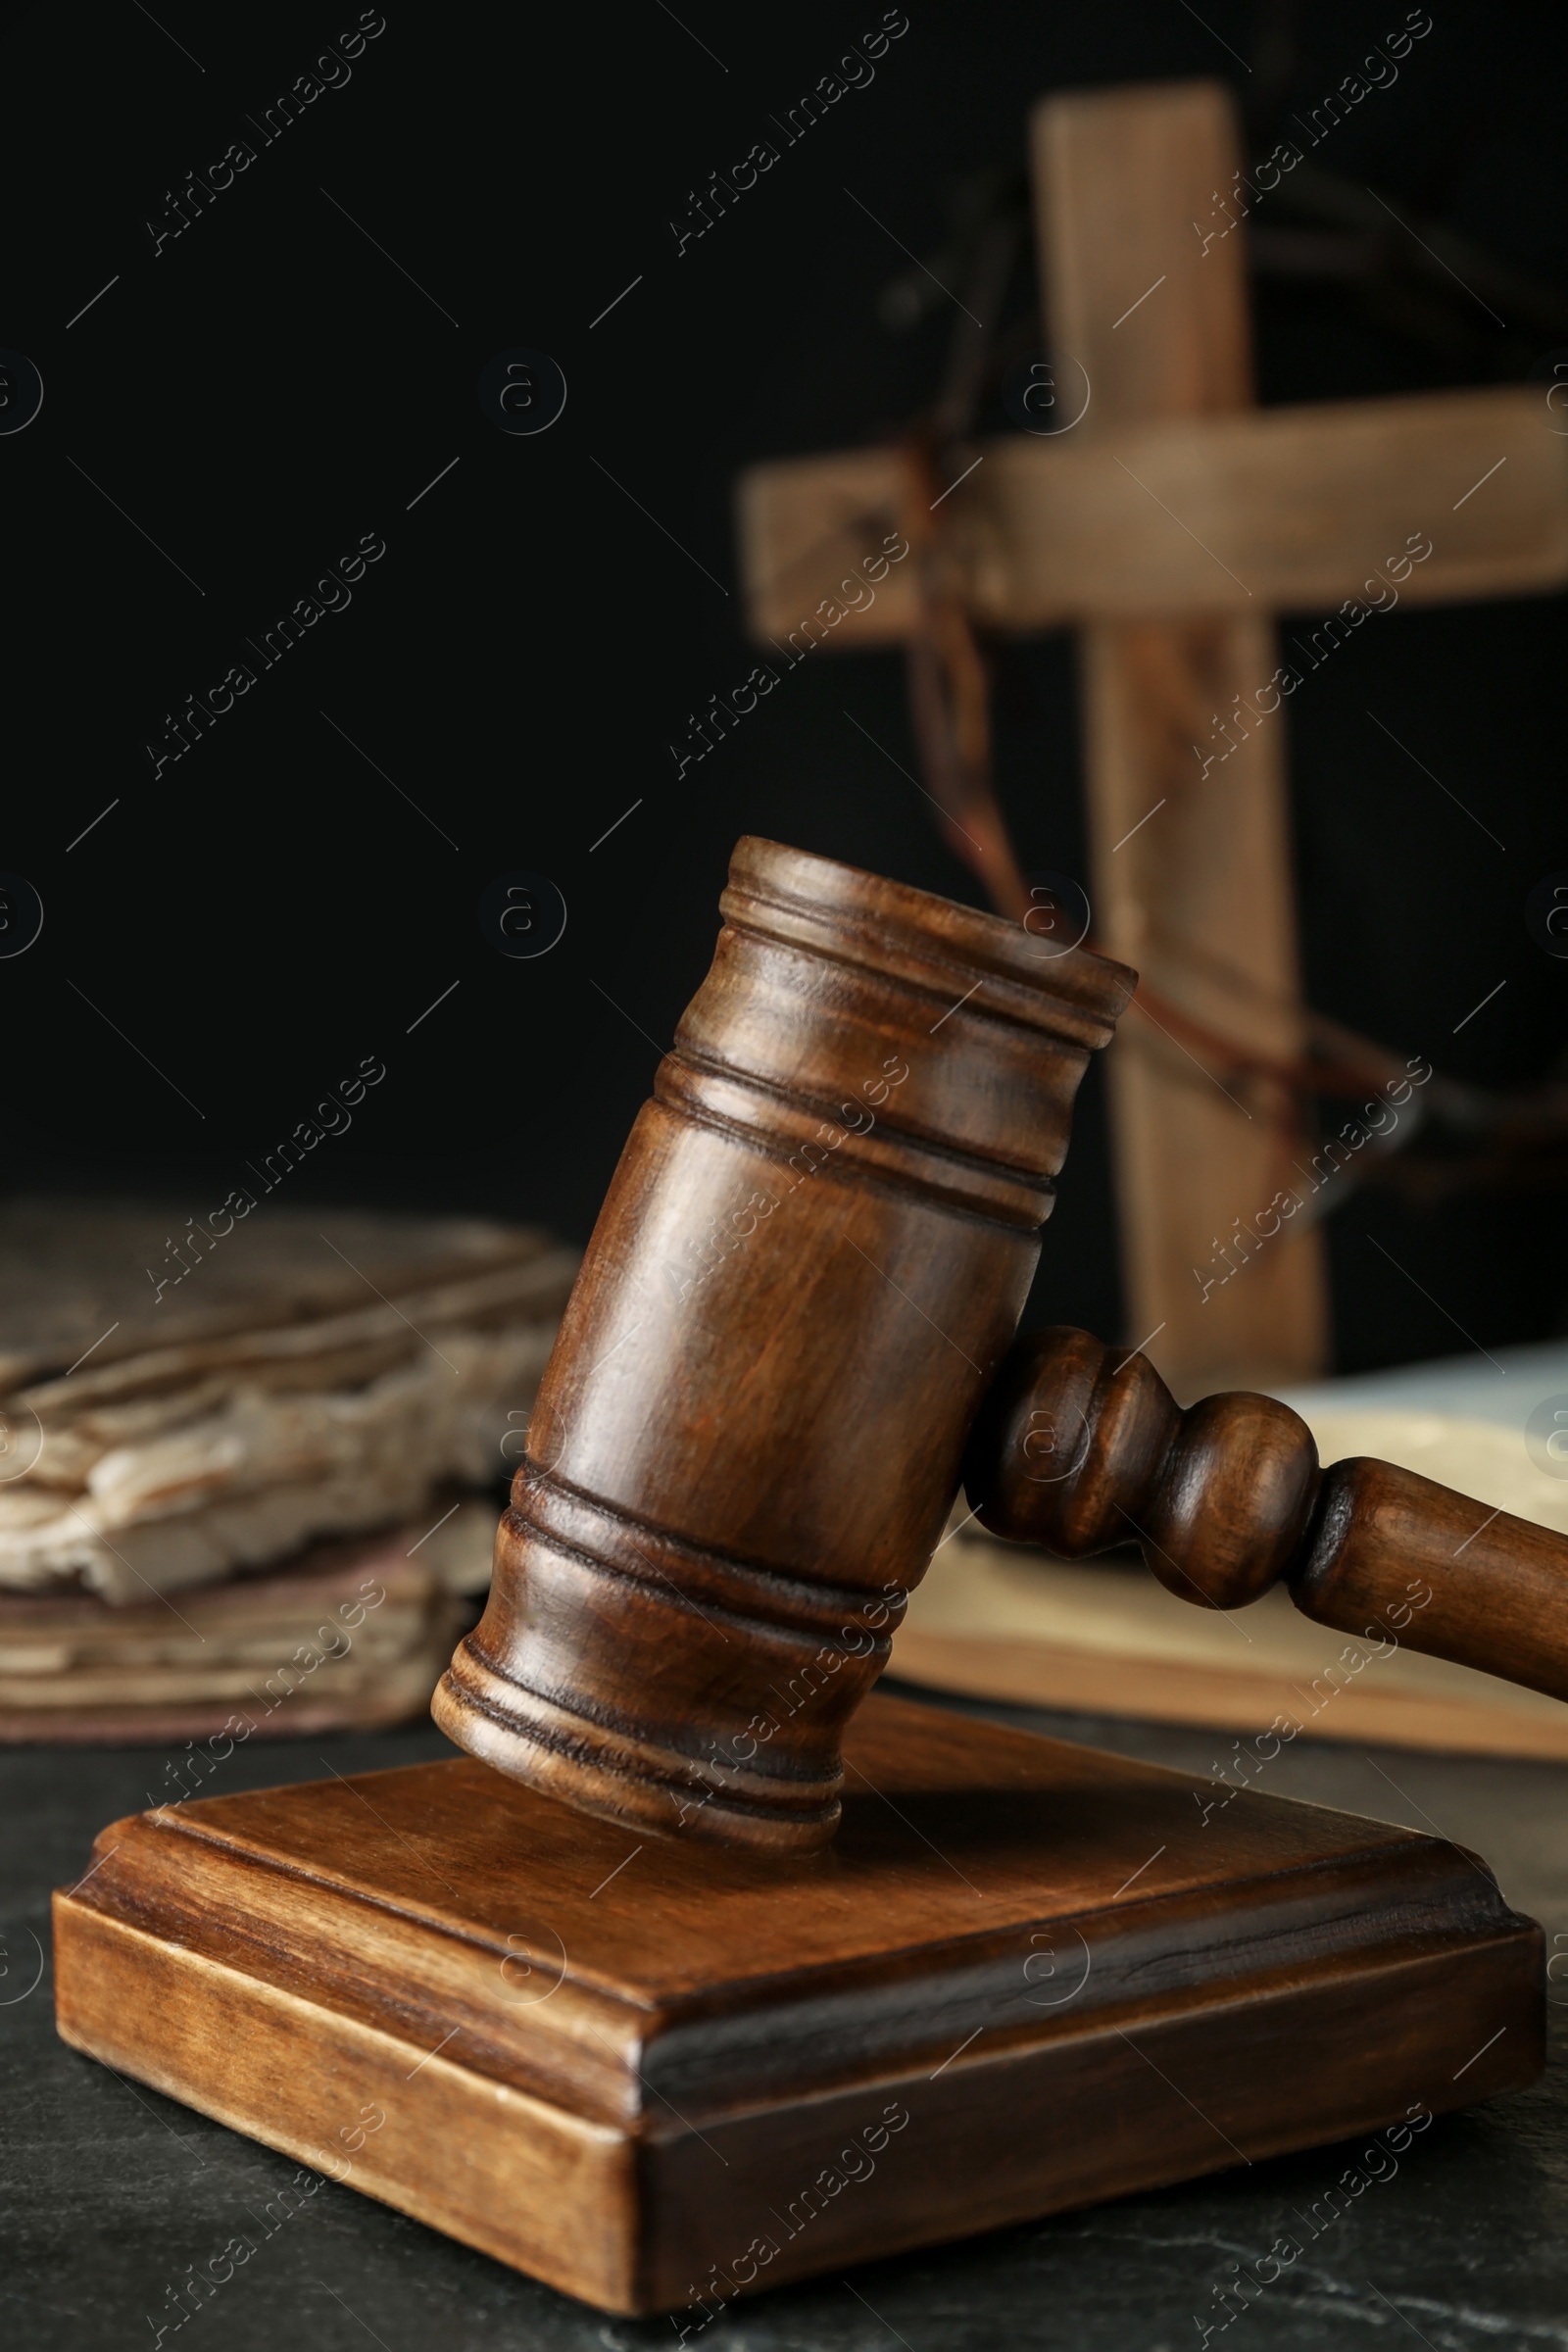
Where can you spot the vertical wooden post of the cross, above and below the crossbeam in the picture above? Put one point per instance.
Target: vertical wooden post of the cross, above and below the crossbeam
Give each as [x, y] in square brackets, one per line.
[1120, 178]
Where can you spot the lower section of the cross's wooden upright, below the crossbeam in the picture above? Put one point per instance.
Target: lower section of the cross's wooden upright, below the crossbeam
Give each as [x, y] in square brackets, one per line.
[1184, 862]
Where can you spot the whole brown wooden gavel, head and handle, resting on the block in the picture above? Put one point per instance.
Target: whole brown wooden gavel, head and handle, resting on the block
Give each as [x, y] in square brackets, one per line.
[793, 1335]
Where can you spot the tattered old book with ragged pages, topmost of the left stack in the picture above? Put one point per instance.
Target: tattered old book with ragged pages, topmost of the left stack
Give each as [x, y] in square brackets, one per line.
[328, 1379]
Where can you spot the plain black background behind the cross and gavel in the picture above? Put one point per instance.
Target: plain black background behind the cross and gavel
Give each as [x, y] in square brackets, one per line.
[272, 387]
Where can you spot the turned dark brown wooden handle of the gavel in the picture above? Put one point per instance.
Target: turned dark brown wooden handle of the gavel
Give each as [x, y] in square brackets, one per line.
[1080, 1450]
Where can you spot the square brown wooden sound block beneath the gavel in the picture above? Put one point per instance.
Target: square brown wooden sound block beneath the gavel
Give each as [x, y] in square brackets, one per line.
[664, 2073]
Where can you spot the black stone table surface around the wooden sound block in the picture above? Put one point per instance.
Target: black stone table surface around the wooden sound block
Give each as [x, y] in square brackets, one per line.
[112, 2196]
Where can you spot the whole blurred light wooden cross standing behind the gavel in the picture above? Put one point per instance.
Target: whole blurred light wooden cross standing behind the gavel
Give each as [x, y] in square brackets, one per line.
[1170, 526]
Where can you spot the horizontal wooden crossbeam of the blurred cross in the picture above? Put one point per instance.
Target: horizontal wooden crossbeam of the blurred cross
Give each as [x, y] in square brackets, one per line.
[1261, 512]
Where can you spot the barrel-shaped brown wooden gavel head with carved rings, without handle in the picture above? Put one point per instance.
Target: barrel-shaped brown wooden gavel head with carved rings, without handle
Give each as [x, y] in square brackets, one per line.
[810, 1262]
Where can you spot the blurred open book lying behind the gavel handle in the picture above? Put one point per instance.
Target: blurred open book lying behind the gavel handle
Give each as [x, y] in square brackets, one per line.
[1104, 1638]
